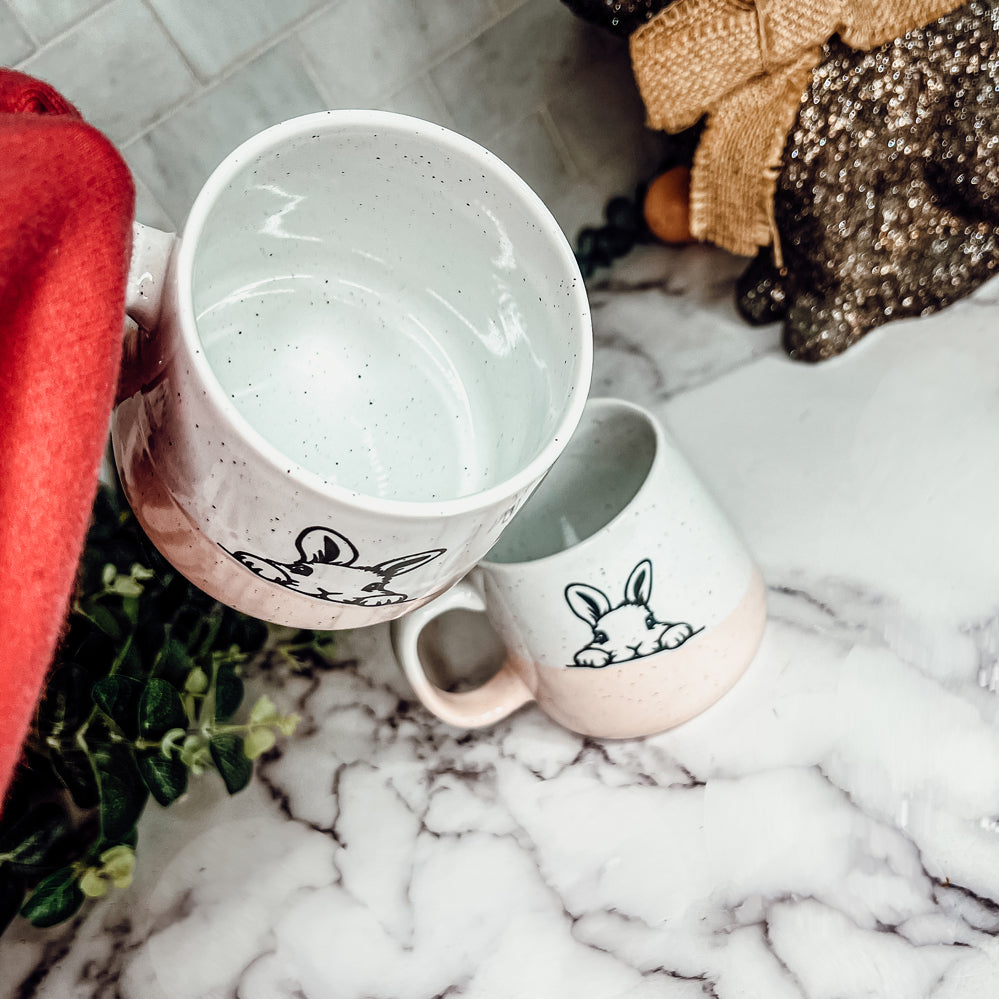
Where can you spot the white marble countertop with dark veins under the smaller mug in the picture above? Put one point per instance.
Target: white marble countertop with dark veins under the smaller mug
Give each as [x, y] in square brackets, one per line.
[829, 830]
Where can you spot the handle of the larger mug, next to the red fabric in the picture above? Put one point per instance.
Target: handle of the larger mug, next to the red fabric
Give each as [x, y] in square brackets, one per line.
[147, 278]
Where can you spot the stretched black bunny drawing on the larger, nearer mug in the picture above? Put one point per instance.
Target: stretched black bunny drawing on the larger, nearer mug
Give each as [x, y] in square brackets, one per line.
[326, 568]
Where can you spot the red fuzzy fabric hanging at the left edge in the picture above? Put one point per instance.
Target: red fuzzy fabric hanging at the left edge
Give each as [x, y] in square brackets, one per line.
[66, 205]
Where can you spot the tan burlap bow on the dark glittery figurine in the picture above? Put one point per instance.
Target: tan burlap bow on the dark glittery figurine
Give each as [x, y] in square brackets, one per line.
[745, 65]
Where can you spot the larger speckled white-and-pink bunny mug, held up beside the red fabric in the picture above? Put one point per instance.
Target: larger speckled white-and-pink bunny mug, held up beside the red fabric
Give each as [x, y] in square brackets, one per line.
[368, 346]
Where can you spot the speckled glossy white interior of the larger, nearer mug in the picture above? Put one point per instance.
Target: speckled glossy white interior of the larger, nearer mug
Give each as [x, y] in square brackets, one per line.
[388, 305]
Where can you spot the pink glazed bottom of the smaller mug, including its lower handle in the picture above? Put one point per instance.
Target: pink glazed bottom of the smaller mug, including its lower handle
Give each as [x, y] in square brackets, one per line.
[632, 699]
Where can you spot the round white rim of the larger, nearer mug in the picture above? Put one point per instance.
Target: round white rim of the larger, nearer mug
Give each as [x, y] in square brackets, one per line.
[532, 204]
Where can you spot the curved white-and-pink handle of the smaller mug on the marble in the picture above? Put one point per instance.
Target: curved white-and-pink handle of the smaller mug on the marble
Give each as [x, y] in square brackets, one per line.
[498, 697]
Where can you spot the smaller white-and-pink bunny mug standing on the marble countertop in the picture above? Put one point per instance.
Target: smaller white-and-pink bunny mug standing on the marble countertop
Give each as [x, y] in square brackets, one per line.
[621, 594]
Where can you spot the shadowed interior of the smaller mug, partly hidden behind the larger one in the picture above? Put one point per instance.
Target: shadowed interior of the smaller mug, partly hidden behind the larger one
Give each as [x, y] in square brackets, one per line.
[599, 473]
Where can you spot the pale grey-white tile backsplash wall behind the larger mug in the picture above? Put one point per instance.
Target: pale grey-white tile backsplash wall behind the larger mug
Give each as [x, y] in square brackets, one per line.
[179, 83]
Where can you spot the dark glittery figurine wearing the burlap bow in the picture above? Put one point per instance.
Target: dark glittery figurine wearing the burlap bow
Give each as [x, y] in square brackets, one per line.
[887, 202]
